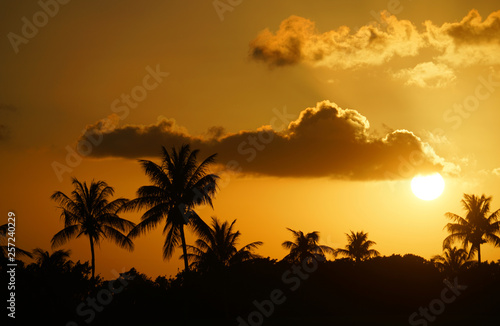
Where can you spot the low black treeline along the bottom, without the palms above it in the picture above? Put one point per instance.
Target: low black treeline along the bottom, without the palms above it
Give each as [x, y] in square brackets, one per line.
[378, 291]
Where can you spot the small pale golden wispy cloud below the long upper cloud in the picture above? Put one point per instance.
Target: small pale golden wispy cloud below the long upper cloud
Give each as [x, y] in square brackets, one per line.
[427, 75]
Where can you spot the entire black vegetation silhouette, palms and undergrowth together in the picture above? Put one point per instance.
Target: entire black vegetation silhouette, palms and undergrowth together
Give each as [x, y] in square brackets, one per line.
[225, 283]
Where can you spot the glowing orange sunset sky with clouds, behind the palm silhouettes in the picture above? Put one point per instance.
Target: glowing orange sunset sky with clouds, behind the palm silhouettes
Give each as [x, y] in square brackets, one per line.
[321, 113]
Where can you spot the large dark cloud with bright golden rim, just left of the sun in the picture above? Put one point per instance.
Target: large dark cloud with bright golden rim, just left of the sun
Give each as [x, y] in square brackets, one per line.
[324, 141]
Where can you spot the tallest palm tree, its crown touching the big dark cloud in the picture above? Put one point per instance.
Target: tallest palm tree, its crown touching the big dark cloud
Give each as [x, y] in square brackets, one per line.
[179, 185]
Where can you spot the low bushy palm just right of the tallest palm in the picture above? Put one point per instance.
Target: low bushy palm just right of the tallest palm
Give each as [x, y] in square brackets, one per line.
[217, 249]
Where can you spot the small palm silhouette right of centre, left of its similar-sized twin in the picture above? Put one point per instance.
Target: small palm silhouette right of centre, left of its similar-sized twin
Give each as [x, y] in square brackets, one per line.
[305, 246]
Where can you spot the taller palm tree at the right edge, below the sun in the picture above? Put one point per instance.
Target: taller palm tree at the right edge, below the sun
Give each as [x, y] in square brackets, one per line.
[477, 227]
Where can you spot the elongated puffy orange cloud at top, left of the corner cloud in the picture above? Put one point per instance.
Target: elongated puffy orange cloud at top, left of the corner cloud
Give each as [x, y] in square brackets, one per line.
[297, 41]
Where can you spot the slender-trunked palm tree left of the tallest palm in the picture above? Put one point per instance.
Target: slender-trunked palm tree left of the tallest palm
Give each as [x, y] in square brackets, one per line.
[88, 211]
